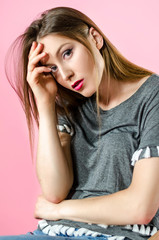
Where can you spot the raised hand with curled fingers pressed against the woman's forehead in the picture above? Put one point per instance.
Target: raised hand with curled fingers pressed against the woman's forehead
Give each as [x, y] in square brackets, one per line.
[41, 82]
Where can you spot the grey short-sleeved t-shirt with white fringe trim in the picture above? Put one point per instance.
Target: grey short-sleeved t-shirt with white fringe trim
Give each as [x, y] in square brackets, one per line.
[104, 154]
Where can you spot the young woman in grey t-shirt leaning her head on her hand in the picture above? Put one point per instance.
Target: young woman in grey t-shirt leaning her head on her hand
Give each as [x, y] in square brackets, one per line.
[98, 118]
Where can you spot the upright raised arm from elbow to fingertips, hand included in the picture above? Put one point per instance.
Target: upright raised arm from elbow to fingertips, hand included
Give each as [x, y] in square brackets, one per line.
[54, 165]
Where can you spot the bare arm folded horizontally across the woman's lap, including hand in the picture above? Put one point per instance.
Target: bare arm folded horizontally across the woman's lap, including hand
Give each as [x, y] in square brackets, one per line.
[135, 205]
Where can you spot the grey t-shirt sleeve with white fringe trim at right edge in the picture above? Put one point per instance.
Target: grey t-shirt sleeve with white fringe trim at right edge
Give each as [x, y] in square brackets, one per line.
[149, 140]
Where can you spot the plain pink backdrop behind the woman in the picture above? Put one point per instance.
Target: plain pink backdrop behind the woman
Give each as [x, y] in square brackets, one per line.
[132, 26]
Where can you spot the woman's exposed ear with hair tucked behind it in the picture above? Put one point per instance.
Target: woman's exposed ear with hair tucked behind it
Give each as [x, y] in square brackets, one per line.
[96, 38]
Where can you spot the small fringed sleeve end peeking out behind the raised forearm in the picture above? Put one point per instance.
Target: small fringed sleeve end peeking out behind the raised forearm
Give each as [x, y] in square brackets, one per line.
[64, 125]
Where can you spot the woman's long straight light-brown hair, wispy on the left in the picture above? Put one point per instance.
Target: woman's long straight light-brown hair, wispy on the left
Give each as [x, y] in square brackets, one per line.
[71, 23]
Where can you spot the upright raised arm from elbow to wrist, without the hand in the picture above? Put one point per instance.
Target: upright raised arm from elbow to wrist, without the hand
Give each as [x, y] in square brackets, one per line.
[54, 168]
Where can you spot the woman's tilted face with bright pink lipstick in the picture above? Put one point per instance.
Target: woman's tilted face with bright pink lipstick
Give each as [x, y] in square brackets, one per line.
[72, 64]
